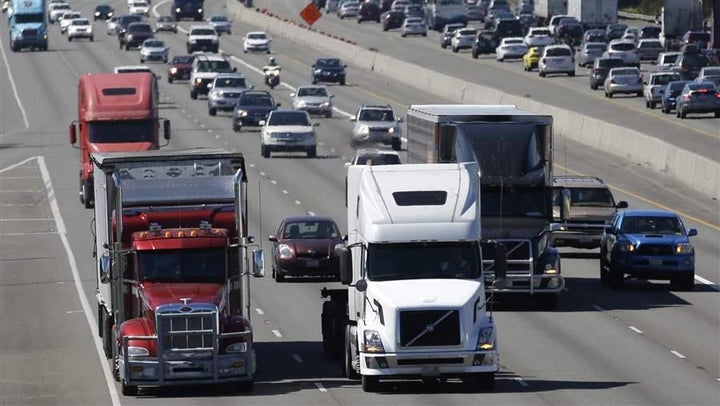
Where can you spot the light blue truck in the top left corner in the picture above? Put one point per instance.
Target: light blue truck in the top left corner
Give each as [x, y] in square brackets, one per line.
[28, 25]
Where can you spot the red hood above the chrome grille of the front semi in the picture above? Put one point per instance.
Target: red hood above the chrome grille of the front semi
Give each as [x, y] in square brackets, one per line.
[156, 294]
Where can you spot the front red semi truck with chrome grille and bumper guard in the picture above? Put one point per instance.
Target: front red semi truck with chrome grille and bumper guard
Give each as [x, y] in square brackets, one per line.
[173, 266]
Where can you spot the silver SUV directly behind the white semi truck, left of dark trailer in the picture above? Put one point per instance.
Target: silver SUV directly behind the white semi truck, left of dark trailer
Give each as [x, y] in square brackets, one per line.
[376, 124]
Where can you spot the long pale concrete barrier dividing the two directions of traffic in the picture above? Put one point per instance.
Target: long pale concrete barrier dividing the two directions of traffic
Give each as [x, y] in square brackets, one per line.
[697, 172]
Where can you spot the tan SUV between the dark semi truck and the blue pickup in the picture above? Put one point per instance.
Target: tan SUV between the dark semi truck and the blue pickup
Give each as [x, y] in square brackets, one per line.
[592, 207]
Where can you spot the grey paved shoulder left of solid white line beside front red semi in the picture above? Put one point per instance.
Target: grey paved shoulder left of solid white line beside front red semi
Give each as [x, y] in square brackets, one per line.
[45, 328]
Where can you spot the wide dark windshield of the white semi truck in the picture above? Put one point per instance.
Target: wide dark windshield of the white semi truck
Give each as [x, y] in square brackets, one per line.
[386, 262]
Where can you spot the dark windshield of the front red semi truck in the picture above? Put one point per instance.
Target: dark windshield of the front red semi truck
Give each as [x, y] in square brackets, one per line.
[185, 265]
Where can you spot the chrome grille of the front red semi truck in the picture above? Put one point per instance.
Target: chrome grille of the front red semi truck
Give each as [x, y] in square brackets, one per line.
[187, 330]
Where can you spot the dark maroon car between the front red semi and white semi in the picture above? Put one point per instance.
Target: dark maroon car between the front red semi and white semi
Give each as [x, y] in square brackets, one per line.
[304, 246]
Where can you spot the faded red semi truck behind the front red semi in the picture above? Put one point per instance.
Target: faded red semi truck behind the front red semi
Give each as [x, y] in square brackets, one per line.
[116, 112]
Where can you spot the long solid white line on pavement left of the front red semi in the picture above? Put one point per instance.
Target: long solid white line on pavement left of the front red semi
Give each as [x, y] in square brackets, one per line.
[92, 324]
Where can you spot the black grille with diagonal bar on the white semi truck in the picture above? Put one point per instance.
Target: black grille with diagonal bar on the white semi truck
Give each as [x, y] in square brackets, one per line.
[429, 328]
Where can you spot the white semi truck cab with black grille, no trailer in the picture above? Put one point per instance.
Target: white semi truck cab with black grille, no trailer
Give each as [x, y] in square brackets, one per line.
[415, 306]
